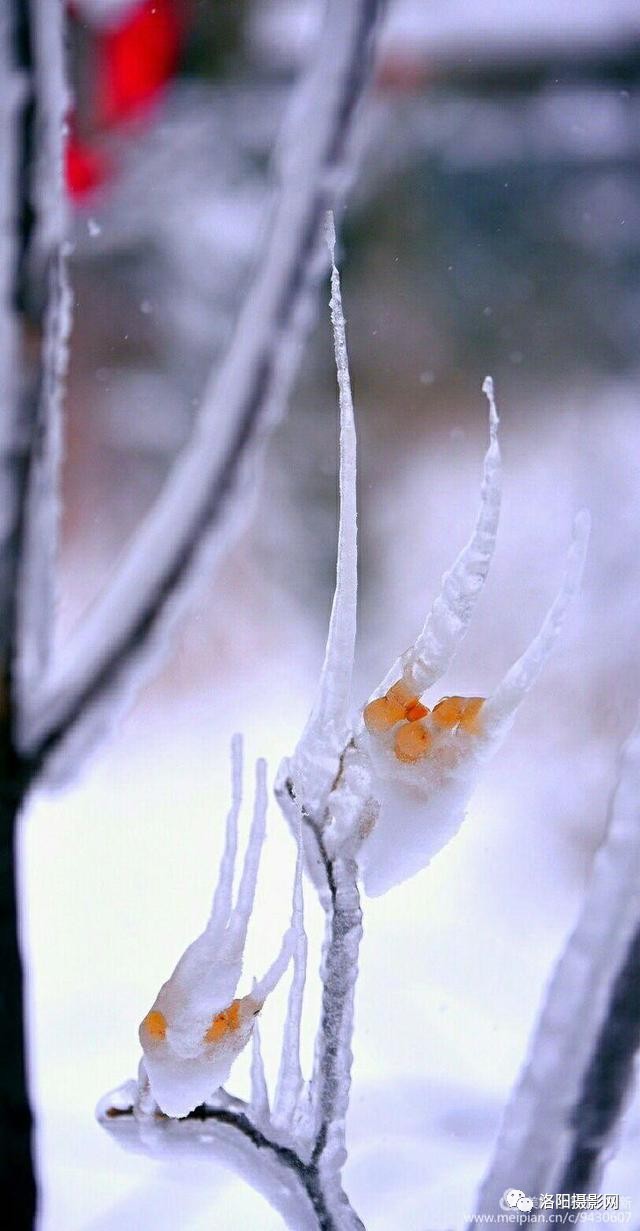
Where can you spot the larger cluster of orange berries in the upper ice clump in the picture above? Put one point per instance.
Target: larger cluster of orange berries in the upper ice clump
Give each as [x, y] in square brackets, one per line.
[419, 726]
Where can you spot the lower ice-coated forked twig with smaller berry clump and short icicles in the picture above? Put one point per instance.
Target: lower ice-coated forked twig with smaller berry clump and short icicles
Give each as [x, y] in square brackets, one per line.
[294, 1155]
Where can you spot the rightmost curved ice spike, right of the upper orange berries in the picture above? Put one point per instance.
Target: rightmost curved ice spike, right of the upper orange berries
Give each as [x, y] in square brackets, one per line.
[524, 674]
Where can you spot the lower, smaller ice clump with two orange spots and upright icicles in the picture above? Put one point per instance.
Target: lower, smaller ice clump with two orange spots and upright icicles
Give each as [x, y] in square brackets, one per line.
[196, 1027]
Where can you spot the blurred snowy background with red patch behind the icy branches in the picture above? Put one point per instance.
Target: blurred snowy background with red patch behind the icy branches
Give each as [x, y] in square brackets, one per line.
[494, 227]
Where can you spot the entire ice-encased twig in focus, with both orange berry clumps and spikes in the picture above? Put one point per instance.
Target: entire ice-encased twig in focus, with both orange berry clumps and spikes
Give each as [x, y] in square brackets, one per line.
[375, 804]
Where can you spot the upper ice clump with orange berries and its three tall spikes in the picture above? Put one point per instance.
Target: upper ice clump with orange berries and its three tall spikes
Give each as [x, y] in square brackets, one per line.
[393, 788]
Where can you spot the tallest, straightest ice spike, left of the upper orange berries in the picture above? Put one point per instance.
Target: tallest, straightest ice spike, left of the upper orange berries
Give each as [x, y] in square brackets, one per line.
[314, 764]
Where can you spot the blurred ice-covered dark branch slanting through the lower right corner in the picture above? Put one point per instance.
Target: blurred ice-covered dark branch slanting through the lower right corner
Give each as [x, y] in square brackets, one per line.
[558, 1125]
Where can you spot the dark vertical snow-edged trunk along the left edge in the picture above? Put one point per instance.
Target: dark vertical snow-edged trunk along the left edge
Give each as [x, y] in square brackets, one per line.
[30, 198]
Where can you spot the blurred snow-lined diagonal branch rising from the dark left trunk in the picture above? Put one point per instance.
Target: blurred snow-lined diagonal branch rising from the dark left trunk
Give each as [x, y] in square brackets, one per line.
[211, 481]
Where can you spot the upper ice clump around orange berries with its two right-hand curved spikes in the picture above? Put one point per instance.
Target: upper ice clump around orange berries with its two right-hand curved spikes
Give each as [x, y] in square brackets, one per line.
[424, 759]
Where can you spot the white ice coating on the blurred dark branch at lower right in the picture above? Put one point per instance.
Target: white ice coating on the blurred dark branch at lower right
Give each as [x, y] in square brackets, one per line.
[546, 1112]
